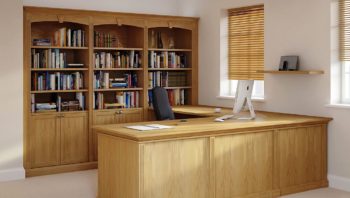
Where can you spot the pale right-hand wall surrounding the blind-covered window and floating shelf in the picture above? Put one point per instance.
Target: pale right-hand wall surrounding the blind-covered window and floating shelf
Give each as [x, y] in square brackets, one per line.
[292, 27]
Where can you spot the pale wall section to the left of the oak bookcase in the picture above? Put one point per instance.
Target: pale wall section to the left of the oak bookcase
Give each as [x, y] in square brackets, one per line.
[11, 75]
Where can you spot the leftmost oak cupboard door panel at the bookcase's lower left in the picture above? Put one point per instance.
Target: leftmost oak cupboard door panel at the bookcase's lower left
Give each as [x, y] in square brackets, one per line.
[44, 141]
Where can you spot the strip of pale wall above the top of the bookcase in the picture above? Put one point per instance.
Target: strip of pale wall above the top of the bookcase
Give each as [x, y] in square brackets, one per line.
[166, 7]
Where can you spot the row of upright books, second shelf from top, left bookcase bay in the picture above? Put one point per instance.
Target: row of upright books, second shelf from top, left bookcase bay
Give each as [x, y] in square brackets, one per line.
[51, 58]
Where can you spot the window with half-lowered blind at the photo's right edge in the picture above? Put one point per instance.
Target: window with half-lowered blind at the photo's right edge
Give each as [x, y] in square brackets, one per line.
[344, 49]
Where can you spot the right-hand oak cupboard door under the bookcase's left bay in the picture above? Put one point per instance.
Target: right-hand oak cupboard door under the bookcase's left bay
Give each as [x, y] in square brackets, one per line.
[74, 138]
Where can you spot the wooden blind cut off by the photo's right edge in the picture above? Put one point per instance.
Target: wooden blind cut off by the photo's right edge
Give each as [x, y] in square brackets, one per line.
[344, 30]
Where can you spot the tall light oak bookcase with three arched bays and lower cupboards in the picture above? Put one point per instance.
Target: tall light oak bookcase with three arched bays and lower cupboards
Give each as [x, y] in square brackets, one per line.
[64, 141]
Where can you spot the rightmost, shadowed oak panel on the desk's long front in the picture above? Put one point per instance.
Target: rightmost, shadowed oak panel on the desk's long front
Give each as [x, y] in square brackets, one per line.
[300, 157]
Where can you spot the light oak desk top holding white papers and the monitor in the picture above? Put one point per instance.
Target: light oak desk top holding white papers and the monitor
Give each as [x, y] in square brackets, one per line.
[206, 126]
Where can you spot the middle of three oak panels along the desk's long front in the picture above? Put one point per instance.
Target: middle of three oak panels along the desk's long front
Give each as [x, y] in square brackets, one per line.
[244, 165]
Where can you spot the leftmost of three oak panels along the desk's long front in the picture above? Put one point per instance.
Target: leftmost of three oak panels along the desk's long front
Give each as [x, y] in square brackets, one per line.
[177, 168]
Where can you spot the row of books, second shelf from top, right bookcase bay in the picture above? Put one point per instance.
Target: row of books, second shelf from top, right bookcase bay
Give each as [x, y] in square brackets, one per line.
[166, 60]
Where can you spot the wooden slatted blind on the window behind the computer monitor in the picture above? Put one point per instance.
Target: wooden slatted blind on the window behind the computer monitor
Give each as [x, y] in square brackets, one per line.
[246, 43]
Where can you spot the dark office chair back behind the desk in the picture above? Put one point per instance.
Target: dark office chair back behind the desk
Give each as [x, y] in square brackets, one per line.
[161, 104]
